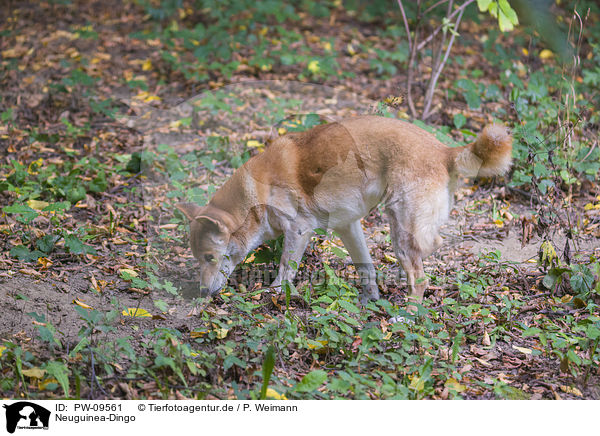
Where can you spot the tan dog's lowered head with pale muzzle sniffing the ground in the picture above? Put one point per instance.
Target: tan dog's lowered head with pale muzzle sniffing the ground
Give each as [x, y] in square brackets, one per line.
[210, 237]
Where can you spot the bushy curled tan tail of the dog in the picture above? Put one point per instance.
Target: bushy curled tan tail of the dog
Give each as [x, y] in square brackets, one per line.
[489, 155]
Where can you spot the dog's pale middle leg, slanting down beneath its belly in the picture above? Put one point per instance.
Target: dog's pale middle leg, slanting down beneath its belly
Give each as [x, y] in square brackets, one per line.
[354, 241]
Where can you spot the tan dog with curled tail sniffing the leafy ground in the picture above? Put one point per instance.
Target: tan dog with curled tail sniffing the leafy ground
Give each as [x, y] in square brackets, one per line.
[330, 177]
